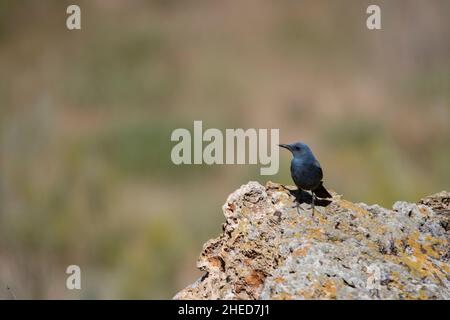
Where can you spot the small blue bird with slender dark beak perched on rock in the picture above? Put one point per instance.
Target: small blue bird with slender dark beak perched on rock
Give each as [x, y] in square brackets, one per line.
[306, 171]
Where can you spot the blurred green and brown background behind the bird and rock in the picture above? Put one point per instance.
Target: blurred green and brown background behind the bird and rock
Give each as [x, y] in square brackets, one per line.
[86, 118]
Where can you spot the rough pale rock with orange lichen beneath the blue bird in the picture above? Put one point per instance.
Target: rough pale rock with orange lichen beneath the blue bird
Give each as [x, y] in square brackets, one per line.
[269, 250]
